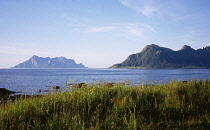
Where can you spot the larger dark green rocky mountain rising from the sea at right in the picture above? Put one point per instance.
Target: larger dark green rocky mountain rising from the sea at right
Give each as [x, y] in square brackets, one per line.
[154, 56]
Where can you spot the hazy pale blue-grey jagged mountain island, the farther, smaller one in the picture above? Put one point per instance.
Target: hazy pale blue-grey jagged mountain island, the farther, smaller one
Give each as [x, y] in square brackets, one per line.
[57, 62]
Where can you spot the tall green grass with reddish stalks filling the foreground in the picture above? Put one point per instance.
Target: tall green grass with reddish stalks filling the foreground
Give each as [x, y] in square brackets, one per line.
[176, 105]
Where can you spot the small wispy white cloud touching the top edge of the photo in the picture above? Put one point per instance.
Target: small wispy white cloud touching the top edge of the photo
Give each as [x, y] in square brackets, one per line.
[142, 7]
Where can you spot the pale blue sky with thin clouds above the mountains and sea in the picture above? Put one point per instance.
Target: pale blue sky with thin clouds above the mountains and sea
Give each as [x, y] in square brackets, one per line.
[98, 33]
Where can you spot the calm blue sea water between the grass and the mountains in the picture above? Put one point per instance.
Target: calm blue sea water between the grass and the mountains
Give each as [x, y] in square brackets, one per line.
[32, 80]
